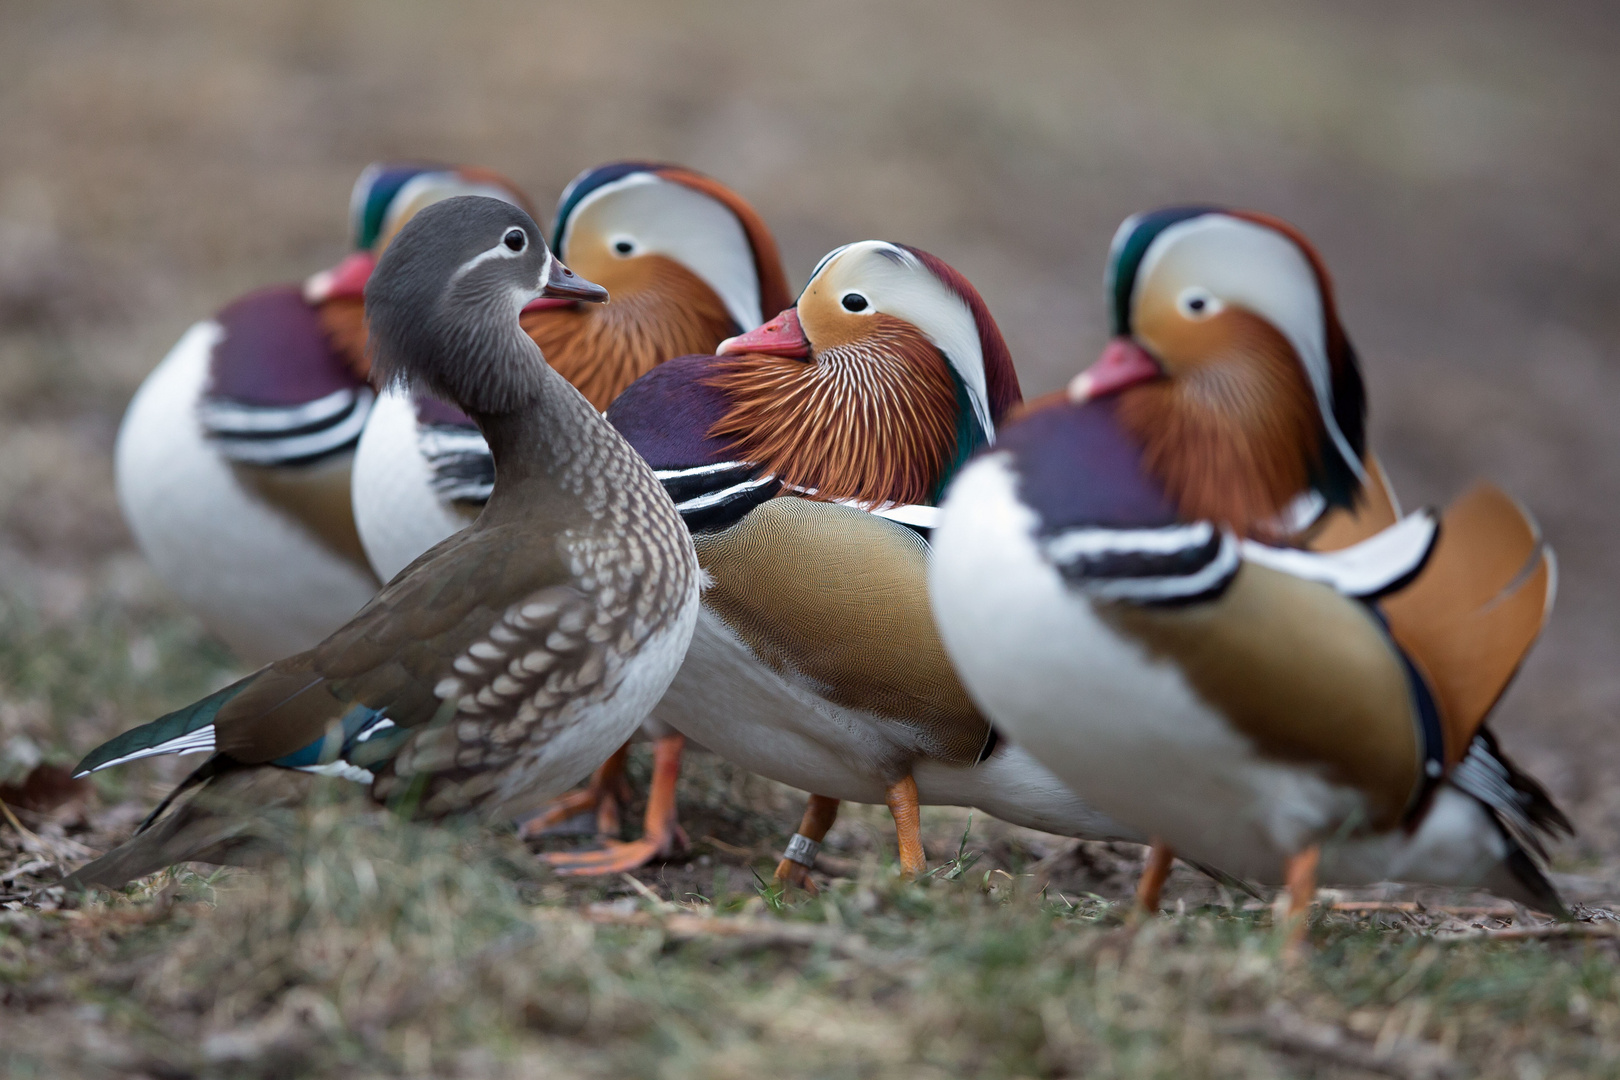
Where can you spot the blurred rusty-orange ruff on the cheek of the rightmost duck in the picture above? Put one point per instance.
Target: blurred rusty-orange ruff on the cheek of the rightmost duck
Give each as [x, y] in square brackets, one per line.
[1234, 432]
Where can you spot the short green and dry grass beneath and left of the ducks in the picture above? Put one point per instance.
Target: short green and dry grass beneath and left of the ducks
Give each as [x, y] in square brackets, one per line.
[385, 948]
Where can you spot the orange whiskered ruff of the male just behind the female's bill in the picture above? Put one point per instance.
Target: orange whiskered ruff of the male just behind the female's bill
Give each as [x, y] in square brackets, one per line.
[659, 310]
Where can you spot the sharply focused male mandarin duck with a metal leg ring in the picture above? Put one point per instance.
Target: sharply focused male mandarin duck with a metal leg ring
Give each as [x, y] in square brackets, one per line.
[799, 457]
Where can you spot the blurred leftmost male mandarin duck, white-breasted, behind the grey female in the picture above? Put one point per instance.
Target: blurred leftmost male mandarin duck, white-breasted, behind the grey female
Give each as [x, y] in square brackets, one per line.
[234, 457]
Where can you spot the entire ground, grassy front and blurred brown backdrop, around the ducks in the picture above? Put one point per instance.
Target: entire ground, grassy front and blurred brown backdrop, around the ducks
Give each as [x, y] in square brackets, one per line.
[1459, 166]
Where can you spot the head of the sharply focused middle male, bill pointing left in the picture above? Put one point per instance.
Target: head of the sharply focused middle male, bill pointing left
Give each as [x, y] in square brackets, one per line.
[876, 386]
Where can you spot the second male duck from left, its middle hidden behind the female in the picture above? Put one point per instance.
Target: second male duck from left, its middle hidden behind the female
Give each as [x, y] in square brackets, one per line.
[689, 263]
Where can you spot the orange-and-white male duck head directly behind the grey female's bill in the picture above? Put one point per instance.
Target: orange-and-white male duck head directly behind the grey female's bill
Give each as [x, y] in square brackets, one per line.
[688, 261]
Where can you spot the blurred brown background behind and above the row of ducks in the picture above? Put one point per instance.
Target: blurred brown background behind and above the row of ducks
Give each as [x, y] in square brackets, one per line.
[1457, 164]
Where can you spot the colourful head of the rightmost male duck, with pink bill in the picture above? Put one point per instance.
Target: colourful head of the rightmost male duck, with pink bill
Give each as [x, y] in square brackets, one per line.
[1230, 367]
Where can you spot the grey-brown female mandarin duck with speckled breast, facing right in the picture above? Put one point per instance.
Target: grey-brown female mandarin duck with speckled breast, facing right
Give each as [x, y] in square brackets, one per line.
[509, 660]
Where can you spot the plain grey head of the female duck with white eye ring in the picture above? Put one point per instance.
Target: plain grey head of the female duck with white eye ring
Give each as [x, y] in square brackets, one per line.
[443, 304]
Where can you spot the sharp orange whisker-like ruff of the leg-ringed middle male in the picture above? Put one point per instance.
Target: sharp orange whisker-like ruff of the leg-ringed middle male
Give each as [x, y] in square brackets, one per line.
[877, 420]
